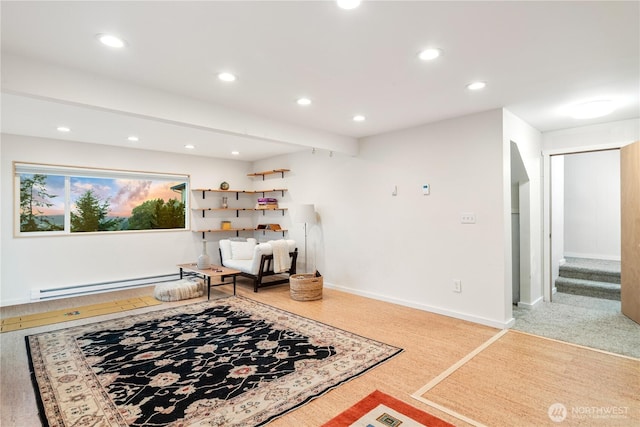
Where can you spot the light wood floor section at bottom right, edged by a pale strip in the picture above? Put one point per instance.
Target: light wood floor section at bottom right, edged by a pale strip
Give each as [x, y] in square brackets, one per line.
[523, 375]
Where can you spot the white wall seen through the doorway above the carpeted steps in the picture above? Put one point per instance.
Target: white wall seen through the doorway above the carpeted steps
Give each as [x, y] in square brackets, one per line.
[592, 205]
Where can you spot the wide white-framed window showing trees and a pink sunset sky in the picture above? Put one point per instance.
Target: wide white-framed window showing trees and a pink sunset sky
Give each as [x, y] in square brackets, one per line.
[66, 200]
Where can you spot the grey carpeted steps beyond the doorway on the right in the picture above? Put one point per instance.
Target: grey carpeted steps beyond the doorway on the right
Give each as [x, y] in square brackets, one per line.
[590, 277]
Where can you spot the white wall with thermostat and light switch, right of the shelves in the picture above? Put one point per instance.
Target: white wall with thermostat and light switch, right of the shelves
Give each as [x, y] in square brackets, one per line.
[409, 248]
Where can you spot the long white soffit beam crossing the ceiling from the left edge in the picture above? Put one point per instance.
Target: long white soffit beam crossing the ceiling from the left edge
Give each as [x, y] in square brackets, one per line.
[46, 81]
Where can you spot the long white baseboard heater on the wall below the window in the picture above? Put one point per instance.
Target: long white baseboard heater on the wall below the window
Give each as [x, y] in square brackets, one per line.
[94, 288]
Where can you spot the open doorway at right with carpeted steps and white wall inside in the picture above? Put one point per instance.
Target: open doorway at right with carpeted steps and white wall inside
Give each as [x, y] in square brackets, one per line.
[585, 229]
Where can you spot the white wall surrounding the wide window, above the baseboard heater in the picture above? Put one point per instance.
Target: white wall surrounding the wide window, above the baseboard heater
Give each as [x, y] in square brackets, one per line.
[53, 261]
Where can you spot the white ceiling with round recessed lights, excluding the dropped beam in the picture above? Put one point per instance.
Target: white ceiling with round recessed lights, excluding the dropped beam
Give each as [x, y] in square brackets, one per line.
[536, 58]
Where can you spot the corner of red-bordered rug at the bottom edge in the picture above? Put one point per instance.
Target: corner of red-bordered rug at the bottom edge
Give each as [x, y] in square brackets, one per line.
[381, 410]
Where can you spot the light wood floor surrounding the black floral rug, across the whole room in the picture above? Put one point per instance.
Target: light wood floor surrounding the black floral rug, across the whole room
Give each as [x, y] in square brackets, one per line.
[431, 343]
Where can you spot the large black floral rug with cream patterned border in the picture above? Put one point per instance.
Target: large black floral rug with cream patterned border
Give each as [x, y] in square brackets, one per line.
[228, 362]
